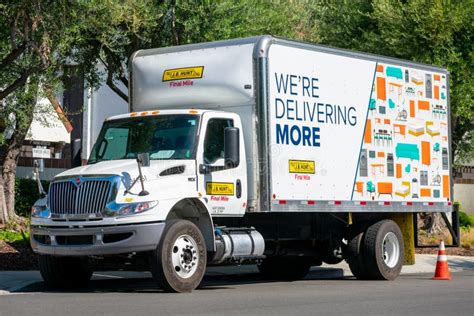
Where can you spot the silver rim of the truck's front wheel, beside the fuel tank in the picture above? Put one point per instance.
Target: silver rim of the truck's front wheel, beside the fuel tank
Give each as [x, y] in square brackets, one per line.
[185, 256]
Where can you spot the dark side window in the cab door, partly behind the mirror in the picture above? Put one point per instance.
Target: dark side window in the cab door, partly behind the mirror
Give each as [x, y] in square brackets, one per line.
[214, 140]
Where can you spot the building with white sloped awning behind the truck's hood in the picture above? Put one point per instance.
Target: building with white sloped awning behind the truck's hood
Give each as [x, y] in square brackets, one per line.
[64, 145]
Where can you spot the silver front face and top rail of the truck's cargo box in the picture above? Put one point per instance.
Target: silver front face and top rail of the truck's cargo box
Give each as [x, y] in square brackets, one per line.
[216, 75]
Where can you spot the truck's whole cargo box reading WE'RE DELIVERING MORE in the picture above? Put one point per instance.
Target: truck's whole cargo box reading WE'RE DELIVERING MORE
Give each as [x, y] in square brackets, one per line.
[325, 129]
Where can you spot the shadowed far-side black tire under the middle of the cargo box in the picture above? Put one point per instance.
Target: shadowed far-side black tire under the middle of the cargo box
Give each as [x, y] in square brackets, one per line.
[285, 268]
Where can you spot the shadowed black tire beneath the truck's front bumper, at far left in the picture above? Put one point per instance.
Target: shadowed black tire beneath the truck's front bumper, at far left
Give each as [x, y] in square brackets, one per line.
[64, 272]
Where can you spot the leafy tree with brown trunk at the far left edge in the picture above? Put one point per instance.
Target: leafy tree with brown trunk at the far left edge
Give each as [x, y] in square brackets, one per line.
[32, 51]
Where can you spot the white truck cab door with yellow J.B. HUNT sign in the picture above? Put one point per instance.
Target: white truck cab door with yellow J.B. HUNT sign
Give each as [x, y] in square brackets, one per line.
[225, 189]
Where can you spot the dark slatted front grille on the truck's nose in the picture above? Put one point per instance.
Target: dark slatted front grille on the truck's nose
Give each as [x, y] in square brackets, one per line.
[86, 197]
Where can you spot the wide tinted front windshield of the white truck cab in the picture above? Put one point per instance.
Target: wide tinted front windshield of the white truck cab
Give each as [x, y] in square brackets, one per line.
[162, 136]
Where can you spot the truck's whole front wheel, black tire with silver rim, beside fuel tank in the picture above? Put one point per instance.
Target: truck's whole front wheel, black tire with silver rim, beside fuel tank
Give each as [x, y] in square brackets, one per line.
[175, 277]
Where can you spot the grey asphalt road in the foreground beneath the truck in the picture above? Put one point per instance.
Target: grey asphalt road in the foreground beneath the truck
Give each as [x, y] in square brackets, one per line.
[248, 295]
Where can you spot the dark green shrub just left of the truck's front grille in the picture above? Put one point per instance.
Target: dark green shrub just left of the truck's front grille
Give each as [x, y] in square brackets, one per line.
[26, 194]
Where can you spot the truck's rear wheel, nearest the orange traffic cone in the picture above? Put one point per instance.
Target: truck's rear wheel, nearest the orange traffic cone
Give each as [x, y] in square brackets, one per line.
[373, 245]
